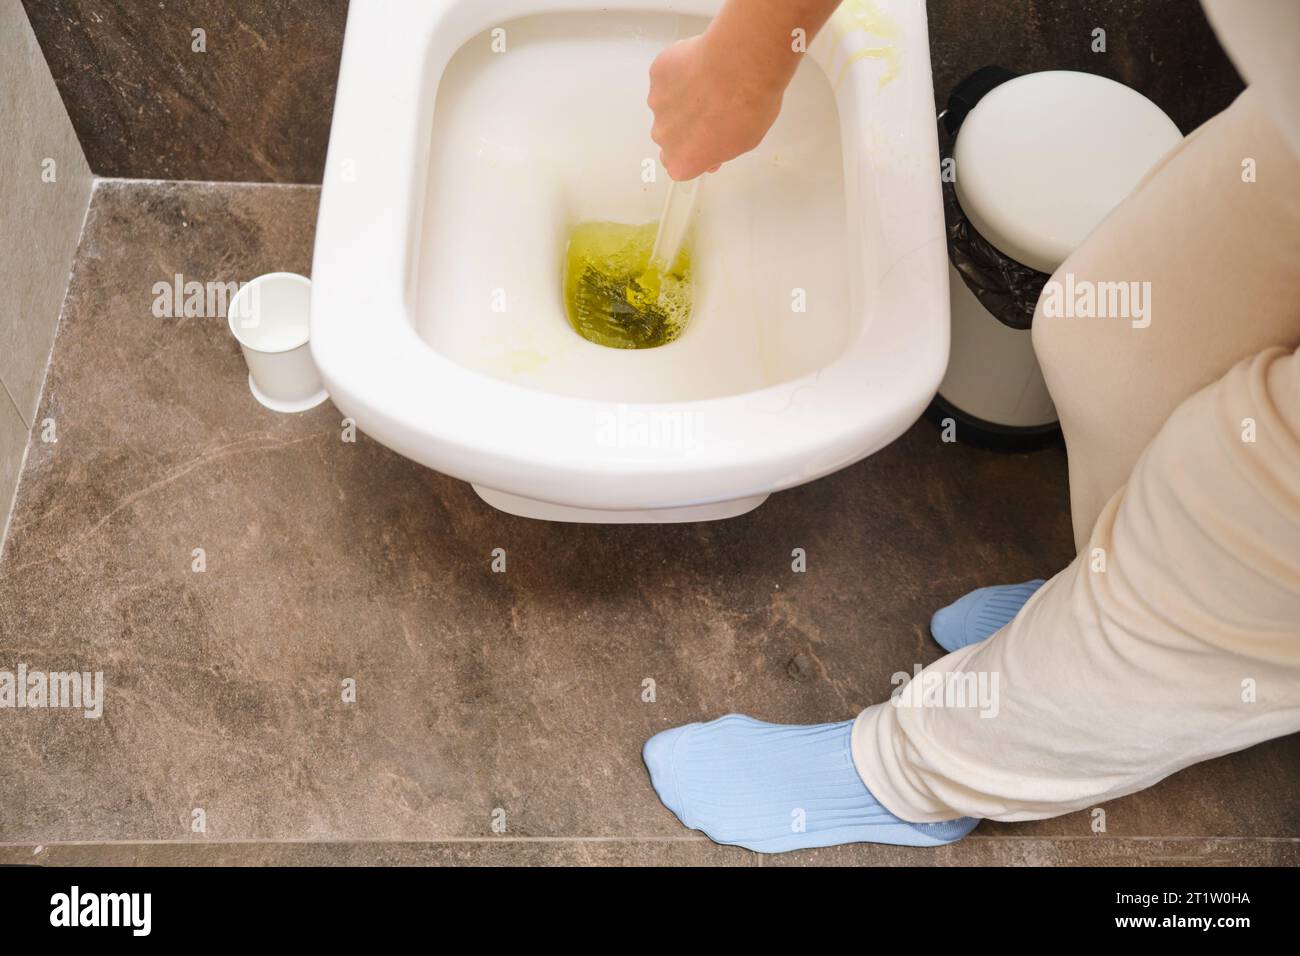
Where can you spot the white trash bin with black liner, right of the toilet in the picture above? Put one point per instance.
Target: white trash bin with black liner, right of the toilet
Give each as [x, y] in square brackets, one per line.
[1039, 162]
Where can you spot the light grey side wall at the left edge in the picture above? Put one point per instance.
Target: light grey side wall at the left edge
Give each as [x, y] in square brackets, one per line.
[45, 191]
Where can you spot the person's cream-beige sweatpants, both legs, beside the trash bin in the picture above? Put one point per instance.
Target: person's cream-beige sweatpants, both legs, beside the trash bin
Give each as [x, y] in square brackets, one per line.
[1175, 637]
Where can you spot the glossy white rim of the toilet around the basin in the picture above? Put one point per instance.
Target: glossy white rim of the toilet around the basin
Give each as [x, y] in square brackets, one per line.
[387, 378]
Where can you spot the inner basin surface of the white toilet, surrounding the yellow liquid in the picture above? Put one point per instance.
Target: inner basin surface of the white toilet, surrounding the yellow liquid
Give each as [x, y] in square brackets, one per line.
[528, 144]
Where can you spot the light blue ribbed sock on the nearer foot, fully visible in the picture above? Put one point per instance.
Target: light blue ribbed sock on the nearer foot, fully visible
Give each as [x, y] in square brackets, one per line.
[772, 788]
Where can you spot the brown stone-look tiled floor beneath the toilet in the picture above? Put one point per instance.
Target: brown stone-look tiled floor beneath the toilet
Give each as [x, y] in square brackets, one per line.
[476, 691]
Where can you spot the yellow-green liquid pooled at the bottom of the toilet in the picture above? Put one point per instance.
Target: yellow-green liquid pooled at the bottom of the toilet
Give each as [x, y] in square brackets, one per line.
[614, 297]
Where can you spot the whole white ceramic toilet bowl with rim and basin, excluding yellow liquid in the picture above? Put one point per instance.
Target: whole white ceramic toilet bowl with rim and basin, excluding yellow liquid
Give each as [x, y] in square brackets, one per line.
[469, 139]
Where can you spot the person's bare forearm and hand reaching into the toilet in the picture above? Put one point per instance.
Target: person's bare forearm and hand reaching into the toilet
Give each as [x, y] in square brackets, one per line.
[716, 96]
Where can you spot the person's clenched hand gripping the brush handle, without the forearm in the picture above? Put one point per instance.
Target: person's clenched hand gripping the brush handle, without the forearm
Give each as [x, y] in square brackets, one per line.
[709, 107]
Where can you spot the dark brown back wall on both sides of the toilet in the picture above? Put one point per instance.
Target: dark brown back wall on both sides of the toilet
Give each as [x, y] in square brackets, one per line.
[257, 103]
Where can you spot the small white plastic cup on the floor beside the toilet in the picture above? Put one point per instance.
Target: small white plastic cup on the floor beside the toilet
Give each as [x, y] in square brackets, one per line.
[270, 319]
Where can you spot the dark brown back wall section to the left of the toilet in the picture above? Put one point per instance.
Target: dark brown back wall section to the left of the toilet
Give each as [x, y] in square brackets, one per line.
[249, 100]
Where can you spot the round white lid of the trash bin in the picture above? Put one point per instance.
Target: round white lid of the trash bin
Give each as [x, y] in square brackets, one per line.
[1045, 158]
